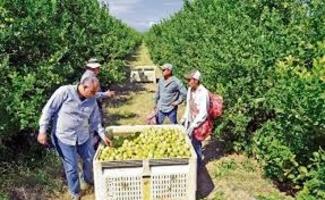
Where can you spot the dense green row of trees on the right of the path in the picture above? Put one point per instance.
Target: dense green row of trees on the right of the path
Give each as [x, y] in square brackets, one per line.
[267, 59]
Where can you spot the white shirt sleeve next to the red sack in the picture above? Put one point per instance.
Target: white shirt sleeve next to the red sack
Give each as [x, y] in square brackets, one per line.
[203, 100]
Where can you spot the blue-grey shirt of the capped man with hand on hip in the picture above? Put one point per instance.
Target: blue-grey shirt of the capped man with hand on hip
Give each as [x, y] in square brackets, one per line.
[169, 91]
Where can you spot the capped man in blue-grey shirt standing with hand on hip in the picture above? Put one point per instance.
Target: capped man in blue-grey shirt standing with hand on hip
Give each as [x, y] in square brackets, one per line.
[170, 93]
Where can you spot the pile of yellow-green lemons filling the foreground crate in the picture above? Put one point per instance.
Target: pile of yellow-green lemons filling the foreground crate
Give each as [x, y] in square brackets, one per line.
[149, 144]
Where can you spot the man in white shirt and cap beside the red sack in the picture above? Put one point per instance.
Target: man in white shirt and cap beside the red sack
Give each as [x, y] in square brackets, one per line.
[196, 111]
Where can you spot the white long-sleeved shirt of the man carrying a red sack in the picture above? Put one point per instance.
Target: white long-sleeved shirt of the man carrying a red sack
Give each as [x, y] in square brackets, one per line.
[197, 104]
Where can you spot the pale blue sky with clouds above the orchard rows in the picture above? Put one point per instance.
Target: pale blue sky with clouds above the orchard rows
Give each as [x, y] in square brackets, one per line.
[142, 14]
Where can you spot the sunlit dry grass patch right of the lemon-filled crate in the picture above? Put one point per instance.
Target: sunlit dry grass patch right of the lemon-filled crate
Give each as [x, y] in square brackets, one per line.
[239, 177]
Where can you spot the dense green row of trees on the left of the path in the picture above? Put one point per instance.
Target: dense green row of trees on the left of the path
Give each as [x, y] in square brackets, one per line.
[44, 44]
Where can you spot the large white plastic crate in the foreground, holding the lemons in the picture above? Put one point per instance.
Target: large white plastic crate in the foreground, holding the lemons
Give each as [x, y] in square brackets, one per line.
[153, 179]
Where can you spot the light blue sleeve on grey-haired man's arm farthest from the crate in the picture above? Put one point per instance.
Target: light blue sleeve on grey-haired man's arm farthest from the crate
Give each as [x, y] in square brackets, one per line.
[51, 108]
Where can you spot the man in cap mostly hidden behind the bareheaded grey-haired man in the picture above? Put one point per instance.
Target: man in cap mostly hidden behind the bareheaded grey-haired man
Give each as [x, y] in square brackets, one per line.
[92, 70]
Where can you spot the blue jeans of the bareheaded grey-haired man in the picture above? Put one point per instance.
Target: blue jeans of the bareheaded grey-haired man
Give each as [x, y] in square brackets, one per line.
[69, 157]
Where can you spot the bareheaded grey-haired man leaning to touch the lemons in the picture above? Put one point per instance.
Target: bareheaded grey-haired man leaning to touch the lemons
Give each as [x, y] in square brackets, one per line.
[72, 112]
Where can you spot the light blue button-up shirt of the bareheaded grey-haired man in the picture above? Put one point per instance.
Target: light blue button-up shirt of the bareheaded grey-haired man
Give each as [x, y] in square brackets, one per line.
[70, 117]
